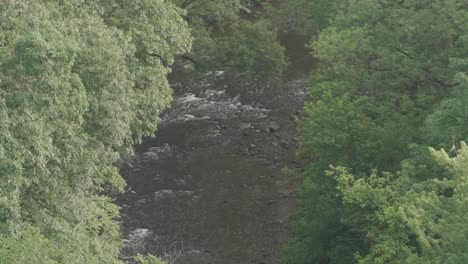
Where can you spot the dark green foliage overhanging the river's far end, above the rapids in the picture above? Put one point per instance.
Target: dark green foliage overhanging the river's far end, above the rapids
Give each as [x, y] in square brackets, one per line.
[228, 36]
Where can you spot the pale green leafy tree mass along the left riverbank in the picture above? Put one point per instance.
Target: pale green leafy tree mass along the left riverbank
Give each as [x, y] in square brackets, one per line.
[78, 86]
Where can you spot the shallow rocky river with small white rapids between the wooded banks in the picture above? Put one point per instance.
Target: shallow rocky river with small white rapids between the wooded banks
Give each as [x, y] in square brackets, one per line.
[210, 188]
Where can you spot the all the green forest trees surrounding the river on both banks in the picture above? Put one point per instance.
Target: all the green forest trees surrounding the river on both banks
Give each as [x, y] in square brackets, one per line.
[381, 136]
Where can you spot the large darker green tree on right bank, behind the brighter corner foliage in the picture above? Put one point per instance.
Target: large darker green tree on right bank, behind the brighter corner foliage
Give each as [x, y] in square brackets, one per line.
[384, 67]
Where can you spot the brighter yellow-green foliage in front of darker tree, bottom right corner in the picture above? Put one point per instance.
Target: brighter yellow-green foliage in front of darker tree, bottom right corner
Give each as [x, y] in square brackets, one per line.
[406, 220]
